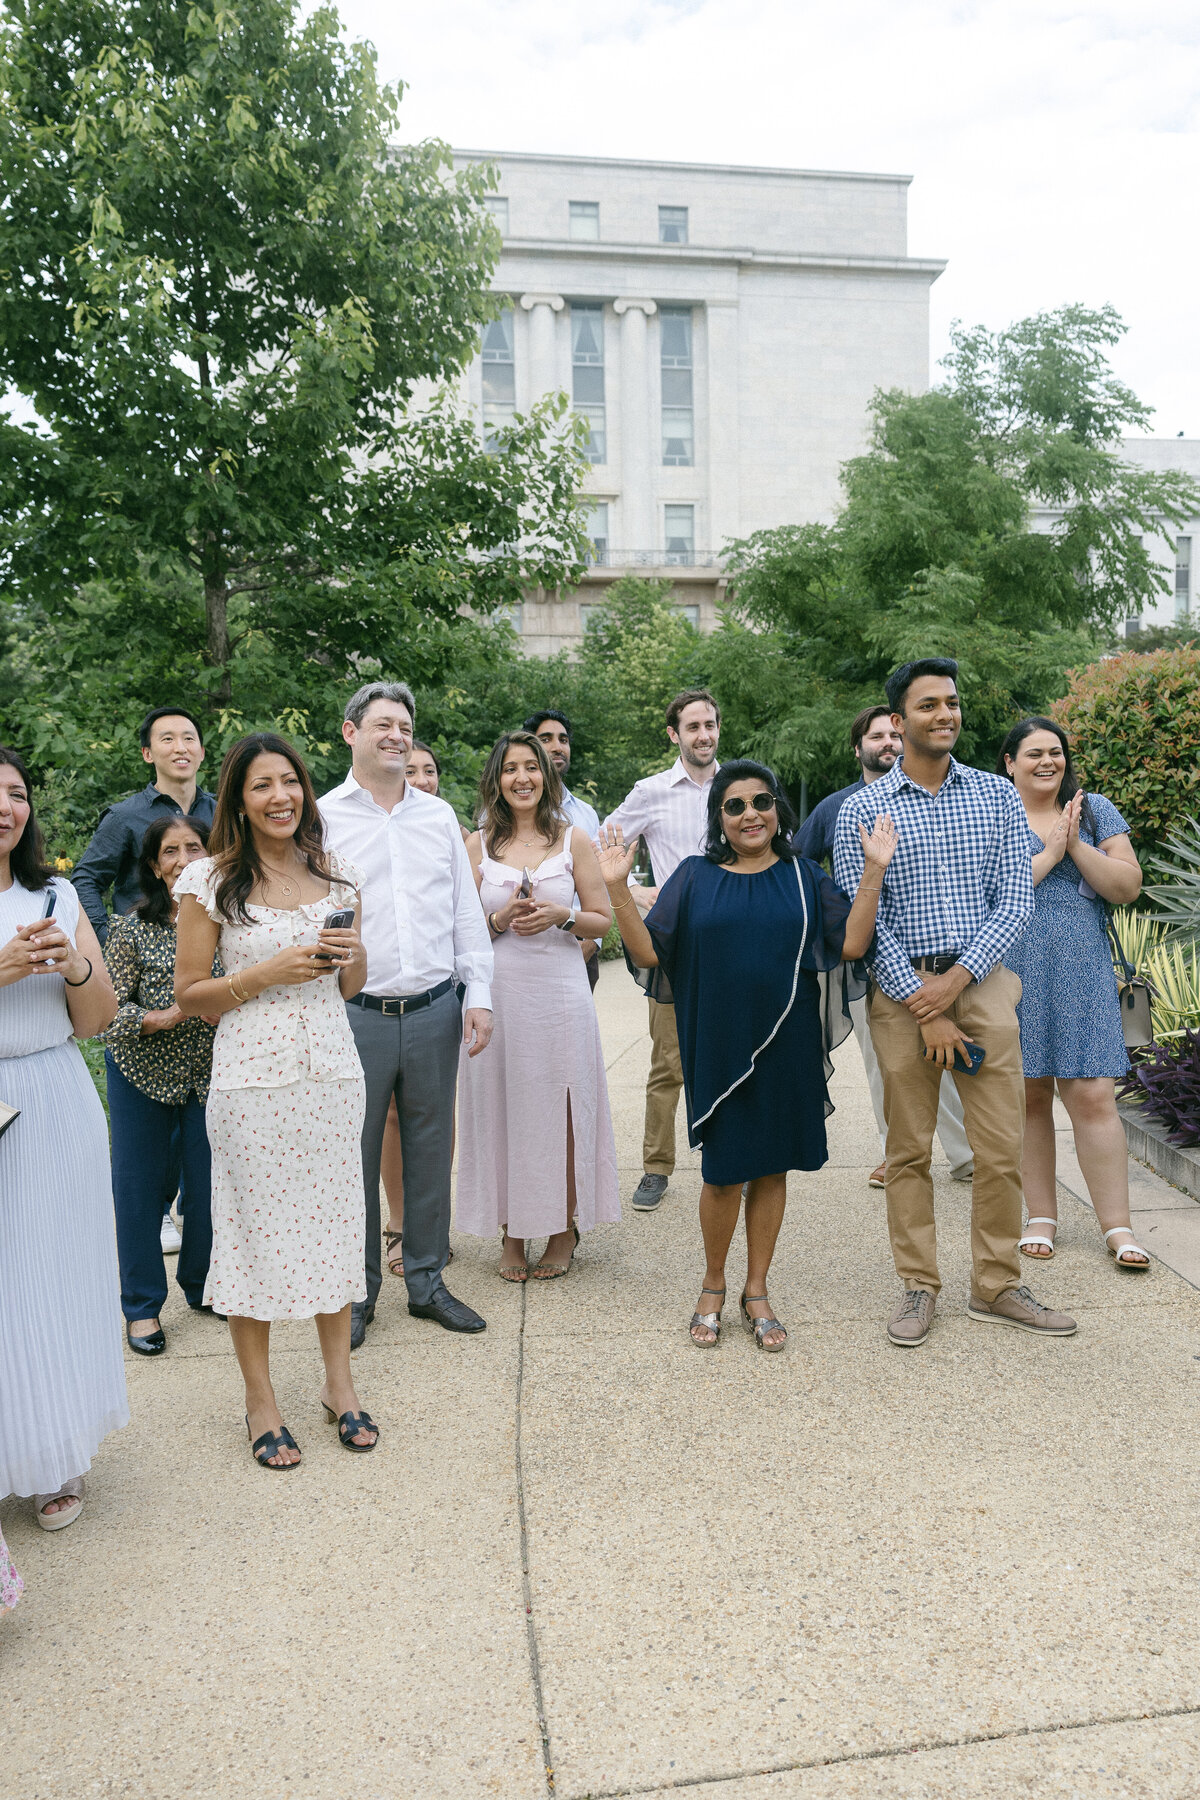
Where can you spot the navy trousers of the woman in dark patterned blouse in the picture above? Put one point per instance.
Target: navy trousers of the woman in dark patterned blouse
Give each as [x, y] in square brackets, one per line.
[143, 1160]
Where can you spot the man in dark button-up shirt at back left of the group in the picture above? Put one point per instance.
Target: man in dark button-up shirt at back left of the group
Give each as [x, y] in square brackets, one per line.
[174, 746]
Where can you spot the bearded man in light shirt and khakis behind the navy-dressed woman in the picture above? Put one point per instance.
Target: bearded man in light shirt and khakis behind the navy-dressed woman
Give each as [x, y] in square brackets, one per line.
[670, 813]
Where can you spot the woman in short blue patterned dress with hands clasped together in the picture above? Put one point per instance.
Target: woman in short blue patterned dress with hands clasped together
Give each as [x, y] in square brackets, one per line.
[1070, 1012]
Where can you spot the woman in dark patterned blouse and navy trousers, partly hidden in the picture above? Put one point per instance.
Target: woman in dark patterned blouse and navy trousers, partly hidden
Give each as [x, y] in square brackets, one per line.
[157, 1066]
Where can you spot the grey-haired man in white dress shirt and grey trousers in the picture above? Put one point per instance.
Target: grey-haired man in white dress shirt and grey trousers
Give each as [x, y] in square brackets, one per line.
[425, 933]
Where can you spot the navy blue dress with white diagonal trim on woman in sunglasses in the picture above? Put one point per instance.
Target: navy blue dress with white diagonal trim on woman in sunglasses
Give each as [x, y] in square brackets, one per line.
[749, 962]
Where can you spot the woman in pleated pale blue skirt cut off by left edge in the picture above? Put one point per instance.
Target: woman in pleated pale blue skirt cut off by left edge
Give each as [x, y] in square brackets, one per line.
[62, 1374]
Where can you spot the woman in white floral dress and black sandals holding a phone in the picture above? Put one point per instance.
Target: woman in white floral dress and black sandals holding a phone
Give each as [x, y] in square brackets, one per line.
[287, 1097]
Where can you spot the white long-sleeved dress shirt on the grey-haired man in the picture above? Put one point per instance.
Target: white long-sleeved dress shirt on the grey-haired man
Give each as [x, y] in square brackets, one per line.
[422, 919]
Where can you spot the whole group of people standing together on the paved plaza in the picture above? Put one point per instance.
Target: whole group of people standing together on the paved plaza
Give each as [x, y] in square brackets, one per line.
[294, 993]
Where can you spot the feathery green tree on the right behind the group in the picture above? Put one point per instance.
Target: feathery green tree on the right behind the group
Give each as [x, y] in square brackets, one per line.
[936, 552]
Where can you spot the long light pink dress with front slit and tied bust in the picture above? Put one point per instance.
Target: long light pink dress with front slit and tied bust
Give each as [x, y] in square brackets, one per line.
[514, 1097]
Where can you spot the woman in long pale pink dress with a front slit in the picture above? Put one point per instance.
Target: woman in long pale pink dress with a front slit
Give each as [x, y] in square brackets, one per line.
[537, 1156]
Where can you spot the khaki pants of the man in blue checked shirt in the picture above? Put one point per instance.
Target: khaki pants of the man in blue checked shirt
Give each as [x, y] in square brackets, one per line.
[994, 1110]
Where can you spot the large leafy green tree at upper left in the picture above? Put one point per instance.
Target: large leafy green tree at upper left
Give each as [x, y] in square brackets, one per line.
[226, 294]
